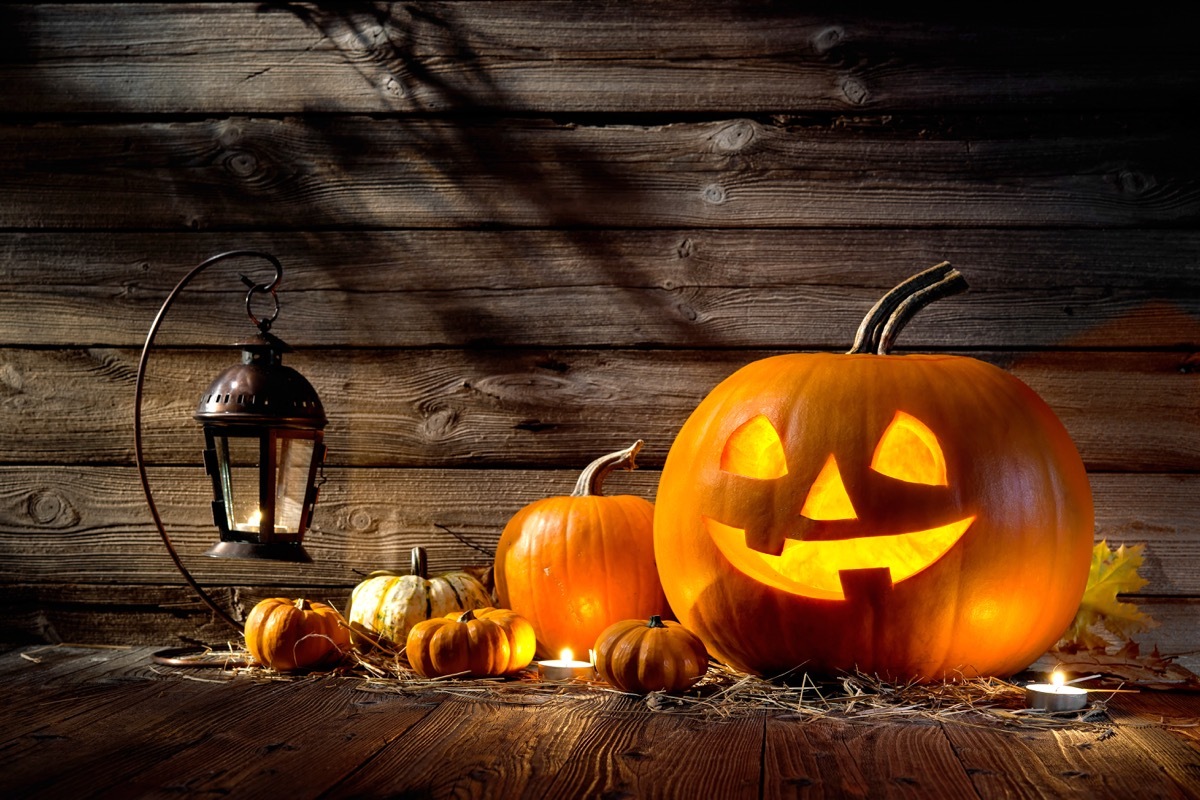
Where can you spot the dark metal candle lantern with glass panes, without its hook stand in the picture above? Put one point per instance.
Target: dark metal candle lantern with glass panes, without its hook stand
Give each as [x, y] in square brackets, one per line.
[265, 447]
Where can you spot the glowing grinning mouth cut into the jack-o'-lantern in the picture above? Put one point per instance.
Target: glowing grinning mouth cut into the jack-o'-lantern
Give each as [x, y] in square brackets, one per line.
[814, 569]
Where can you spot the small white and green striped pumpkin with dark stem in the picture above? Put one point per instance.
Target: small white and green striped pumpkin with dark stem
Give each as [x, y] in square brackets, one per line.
[387, 605]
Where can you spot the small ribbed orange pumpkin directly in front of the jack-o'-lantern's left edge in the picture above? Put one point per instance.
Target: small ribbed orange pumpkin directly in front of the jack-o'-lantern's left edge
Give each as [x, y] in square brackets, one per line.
[655, 657]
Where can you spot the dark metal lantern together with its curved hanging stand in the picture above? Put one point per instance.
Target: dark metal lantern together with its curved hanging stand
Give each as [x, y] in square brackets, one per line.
[256, 414]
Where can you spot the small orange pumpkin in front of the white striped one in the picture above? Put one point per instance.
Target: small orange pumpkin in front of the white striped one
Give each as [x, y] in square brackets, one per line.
[460, 643]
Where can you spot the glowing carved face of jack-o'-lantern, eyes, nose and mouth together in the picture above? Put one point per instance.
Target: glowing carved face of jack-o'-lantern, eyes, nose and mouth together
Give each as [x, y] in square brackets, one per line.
[904, 521]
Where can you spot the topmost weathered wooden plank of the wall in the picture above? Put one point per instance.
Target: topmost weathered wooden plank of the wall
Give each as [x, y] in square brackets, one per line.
[563, 57]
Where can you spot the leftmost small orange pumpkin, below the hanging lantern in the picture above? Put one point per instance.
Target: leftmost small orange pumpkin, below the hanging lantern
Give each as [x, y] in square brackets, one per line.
[289, 635]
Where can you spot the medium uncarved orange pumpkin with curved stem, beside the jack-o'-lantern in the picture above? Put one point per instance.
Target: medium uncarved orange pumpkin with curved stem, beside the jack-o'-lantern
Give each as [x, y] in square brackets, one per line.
[574, 566]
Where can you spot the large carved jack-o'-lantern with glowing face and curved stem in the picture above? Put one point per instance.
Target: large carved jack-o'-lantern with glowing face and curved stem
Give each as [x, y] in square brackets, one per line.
[920, 516]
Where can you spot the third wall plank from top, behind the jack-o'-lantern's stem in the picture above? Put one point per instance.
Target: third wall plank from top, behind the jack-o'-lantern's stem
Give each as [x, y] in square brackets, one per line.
[675, 288]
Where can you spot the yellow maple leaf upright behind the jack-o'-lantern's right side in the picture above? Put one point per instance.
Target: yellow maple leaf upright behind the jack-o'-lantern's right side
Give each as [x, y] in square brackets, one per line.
[1114, 573]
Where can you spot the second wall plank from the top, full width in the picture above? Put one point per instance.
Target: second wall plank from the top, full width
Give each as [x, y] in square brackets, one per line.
[304, 173]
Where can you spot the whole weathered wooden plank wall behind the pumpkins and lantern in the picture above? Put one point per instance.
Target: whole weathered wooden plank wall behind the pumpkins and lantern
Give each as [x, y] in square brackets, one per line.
[523, 234]
